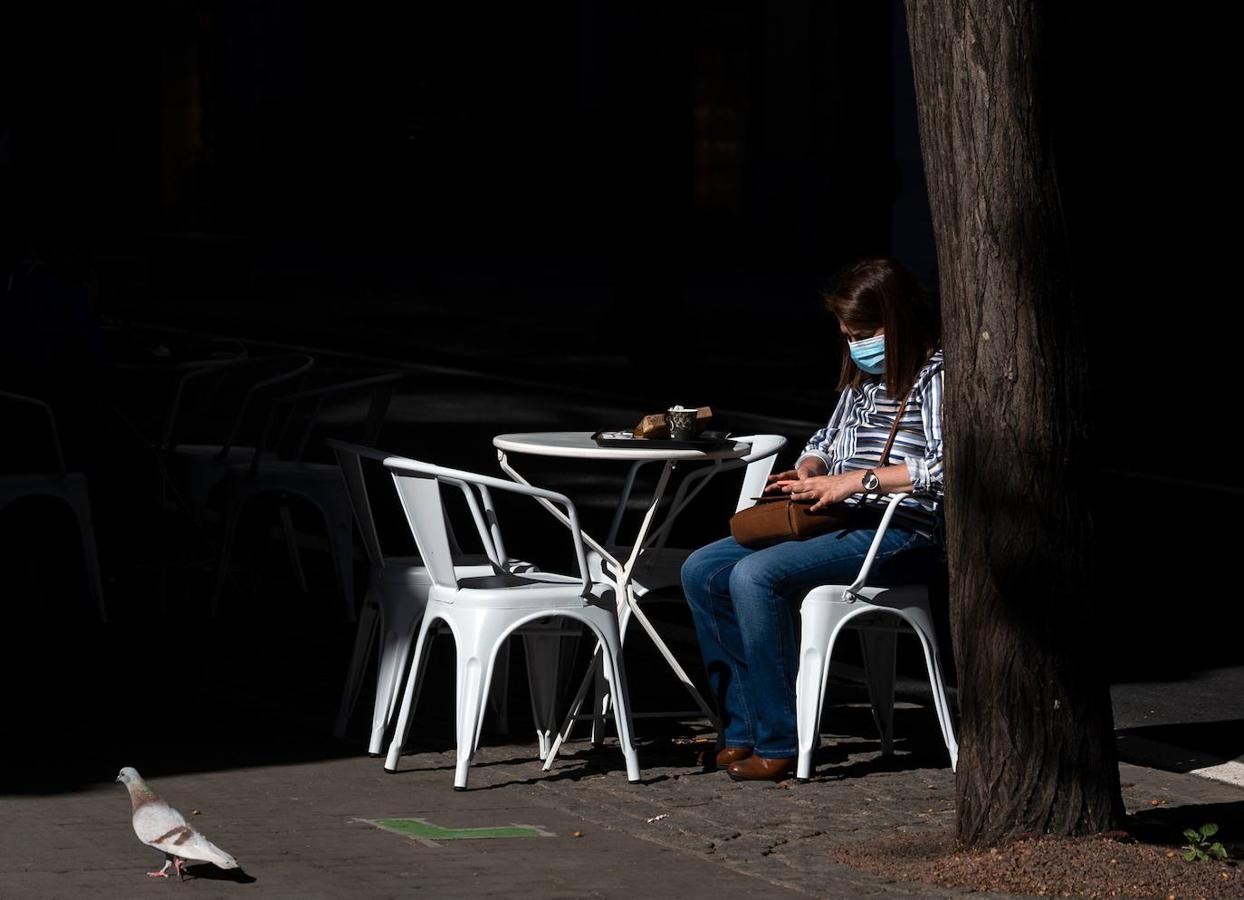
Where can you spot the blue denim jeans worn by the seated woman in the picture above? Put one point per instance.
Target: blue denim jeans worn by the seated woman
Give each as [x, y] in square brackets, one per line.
[746, 606]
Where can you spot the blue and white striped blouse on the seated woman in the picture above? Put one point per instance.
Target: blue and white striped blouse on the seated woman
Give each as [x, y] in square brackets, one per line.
[856, 436]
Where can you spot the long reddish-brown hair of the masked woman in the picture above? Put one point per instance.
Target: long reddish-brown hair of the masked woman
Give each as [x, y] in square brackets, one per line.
[881, 294]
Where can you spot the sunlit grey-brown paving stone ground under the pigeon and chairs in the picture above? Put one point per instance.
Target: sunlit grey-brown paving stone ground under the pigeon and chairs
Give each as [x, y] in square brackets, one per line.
[300, 831]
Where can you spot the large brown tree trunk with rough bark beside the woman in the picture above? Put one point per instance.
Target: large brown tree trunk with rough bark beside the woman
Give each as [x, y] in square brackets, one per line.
[1038, 749]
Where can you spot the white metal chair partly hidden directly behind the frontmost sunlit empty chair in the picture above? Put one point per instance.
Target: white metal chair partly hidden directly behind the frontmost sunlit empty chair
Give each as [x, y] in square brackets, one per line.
[397, 596]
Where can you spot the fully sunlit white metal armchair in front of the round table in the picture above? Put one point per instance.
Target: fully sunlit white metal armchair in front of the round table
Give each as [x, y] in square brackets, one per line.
[483, 612]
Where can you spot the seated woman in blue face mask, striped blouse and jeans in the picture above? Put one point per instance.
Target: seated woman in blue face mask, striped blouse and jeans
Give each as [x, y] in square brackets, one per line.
[746, 603]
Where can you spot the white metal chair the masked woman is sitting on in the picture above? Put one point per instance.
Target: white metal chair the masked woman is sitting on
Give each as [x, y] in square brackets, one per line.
[876, 613]
